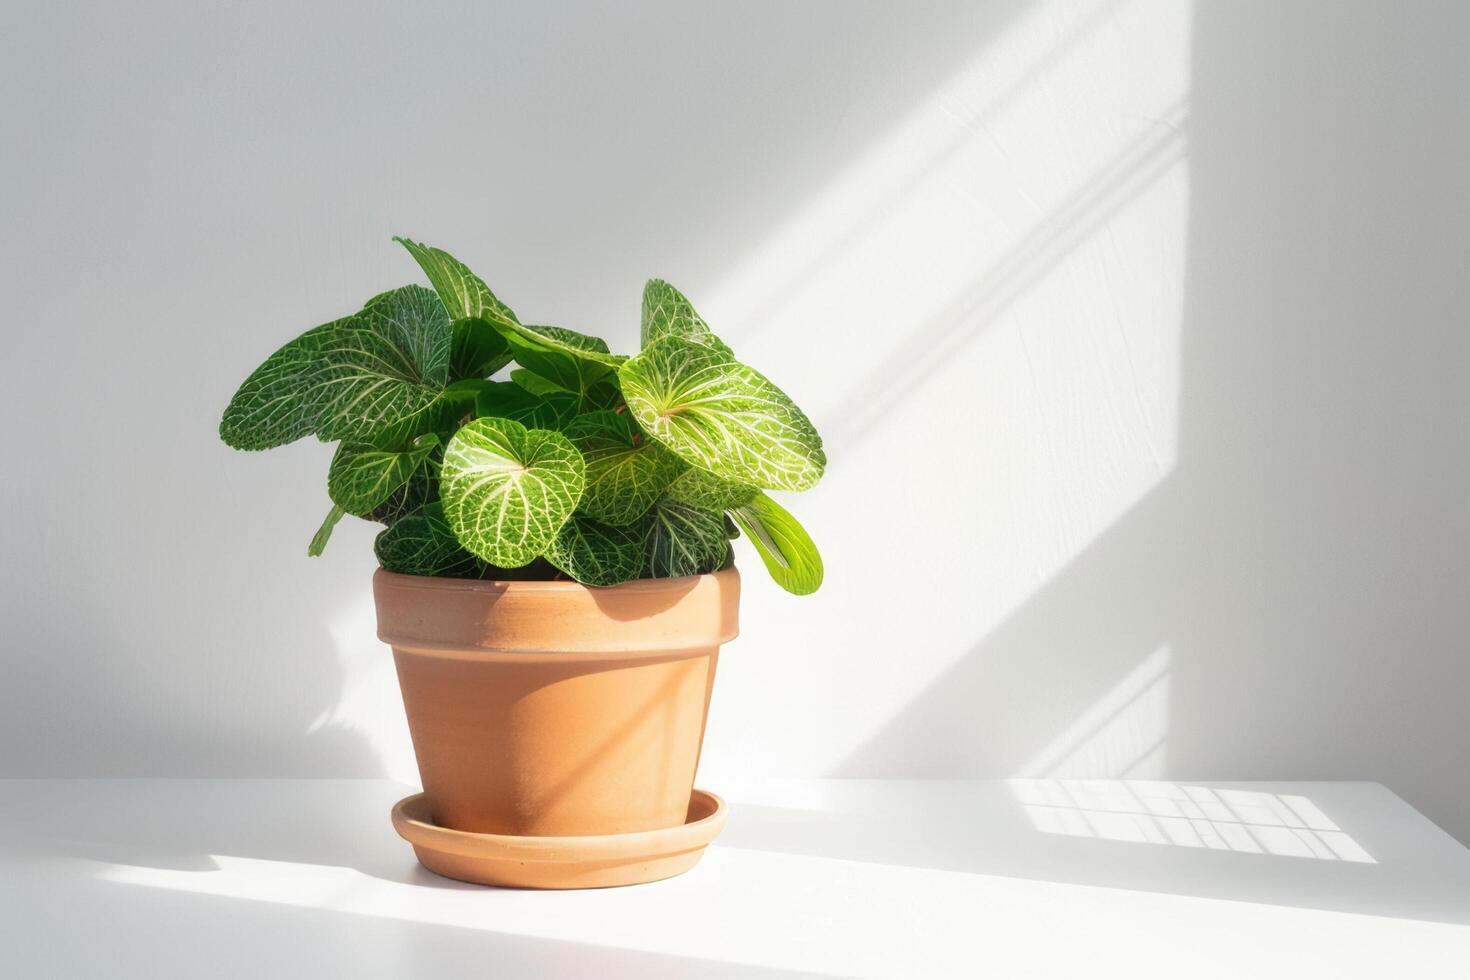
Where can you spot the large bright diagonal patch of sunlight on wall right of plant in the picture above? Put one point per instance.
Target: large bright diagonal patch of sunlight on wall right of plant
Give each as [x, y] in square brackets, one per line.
[996, 290]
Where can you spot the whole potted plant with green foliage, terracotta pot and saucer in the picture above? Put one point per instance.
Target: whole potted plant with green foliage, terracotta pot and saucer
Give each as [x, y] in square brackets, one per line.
[556, 575]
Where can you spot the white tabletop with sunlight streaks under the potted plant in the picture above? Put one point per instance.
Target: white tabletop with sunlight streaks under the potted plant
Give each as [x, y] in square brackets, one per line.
[839, 878]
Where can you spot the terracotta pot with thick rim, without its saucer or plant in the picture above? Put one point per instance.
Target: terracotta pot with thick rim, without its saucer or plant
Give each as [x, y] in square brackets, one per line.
[551, 709]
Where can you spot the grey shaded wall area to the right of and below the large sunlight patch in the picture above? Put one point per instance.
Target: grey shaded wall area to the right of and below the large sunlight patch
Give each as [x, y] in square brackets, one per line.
[1306, 562]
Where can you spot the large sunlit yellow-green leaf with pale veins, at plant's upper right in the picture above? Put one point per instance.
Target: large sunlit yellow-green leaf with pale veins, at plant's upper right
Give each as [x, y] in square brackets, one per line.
[723, 417]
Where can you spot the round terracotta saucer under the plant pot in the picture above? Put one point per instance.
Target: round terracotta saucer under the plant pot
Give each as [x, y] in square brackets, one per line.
[599, 862]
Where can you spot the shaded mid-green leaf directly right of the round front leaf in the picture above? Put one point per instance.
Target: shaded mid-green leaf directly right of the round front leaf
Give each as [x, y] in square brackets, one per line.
[625, 469]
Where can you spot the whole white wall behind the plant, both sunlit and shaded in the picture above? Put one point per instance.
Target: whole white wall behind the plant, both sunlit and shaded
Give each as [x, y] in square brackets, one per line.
[1137, 334]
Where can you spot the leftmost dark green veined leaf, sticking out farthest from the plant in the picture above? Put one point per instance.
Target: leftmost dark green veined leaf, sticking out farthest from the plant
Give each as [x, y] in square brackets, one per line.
[283, 400]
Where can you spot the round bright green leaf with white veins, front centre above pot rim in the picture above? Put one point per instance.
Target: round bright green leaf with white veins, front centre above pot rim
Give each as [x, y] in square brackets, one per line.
[508, 490]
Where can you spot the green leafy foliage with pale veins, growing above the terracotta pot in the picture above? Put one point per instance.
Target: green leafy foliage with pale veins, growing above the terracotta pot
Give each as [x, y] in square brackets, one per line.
[584, 464]
